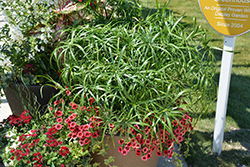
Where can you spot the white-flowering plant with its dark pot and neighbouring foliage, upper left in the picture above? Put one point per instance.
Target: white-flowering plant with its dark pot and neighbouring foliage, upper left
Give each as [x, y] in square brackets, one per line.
[31, 35]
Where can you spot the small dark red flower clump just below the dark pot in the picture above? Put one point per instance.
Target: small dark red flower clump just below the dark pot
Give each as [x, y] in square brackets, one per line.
[24, 118]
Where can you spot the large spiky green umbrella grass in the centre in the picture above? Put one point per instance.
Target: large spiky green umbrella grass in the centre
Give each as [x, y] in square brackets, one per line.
[148, 75]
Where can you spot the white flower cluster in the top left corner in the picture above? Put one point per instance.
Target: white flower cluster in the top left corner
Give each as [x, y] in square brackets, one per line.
[25, 16]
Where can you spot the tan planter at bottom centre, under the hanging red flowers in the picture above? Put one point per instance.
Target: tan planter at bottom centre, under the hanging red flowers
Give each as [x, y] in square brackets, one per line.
[129, 160]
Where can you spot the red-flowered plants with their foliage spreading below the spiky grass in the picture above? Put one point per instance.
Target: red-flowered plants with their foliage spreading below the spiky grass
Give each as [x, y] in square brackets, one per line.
[71, 133]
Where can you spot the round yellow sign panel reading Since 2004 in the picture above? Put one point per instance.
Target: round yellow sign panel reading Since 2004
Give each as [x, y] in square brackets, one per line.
[228, 17]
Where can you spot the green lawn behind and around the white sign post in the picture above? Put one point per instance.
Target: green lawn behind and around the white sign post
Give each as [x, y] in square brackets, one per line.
[236, 145]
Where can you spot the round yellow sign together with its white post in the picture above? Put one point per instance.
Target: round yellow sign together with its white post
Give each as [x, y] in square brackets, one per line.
[229, 18]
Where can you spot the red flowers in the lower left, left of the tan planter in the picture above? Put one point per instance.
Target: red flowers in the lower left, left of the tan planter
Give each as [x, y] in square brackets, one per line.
[29, 141]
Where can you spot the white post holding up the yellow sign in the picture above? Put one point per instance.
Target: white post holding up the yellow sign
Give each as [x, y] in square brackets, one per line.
[224, 84]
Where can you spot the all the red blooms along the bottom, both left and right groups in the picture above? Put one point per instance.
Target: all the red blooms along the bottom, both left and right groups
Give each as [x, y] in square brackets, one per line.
[142, 142]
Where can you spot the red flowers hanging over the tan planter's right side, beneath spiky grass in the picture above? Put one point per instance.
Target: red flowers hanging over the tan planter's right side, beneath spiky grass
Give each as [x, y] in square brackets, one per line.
[144, 148]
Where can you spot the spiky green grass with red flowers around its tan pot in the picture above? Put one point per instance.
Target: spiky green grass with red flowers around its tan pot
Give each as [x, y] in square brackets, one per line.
[128, 86]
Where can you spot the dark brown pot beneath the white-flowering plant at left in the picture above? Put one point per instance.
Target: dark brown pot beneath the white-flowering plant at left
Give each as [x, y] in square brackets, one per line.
[33, 97]
